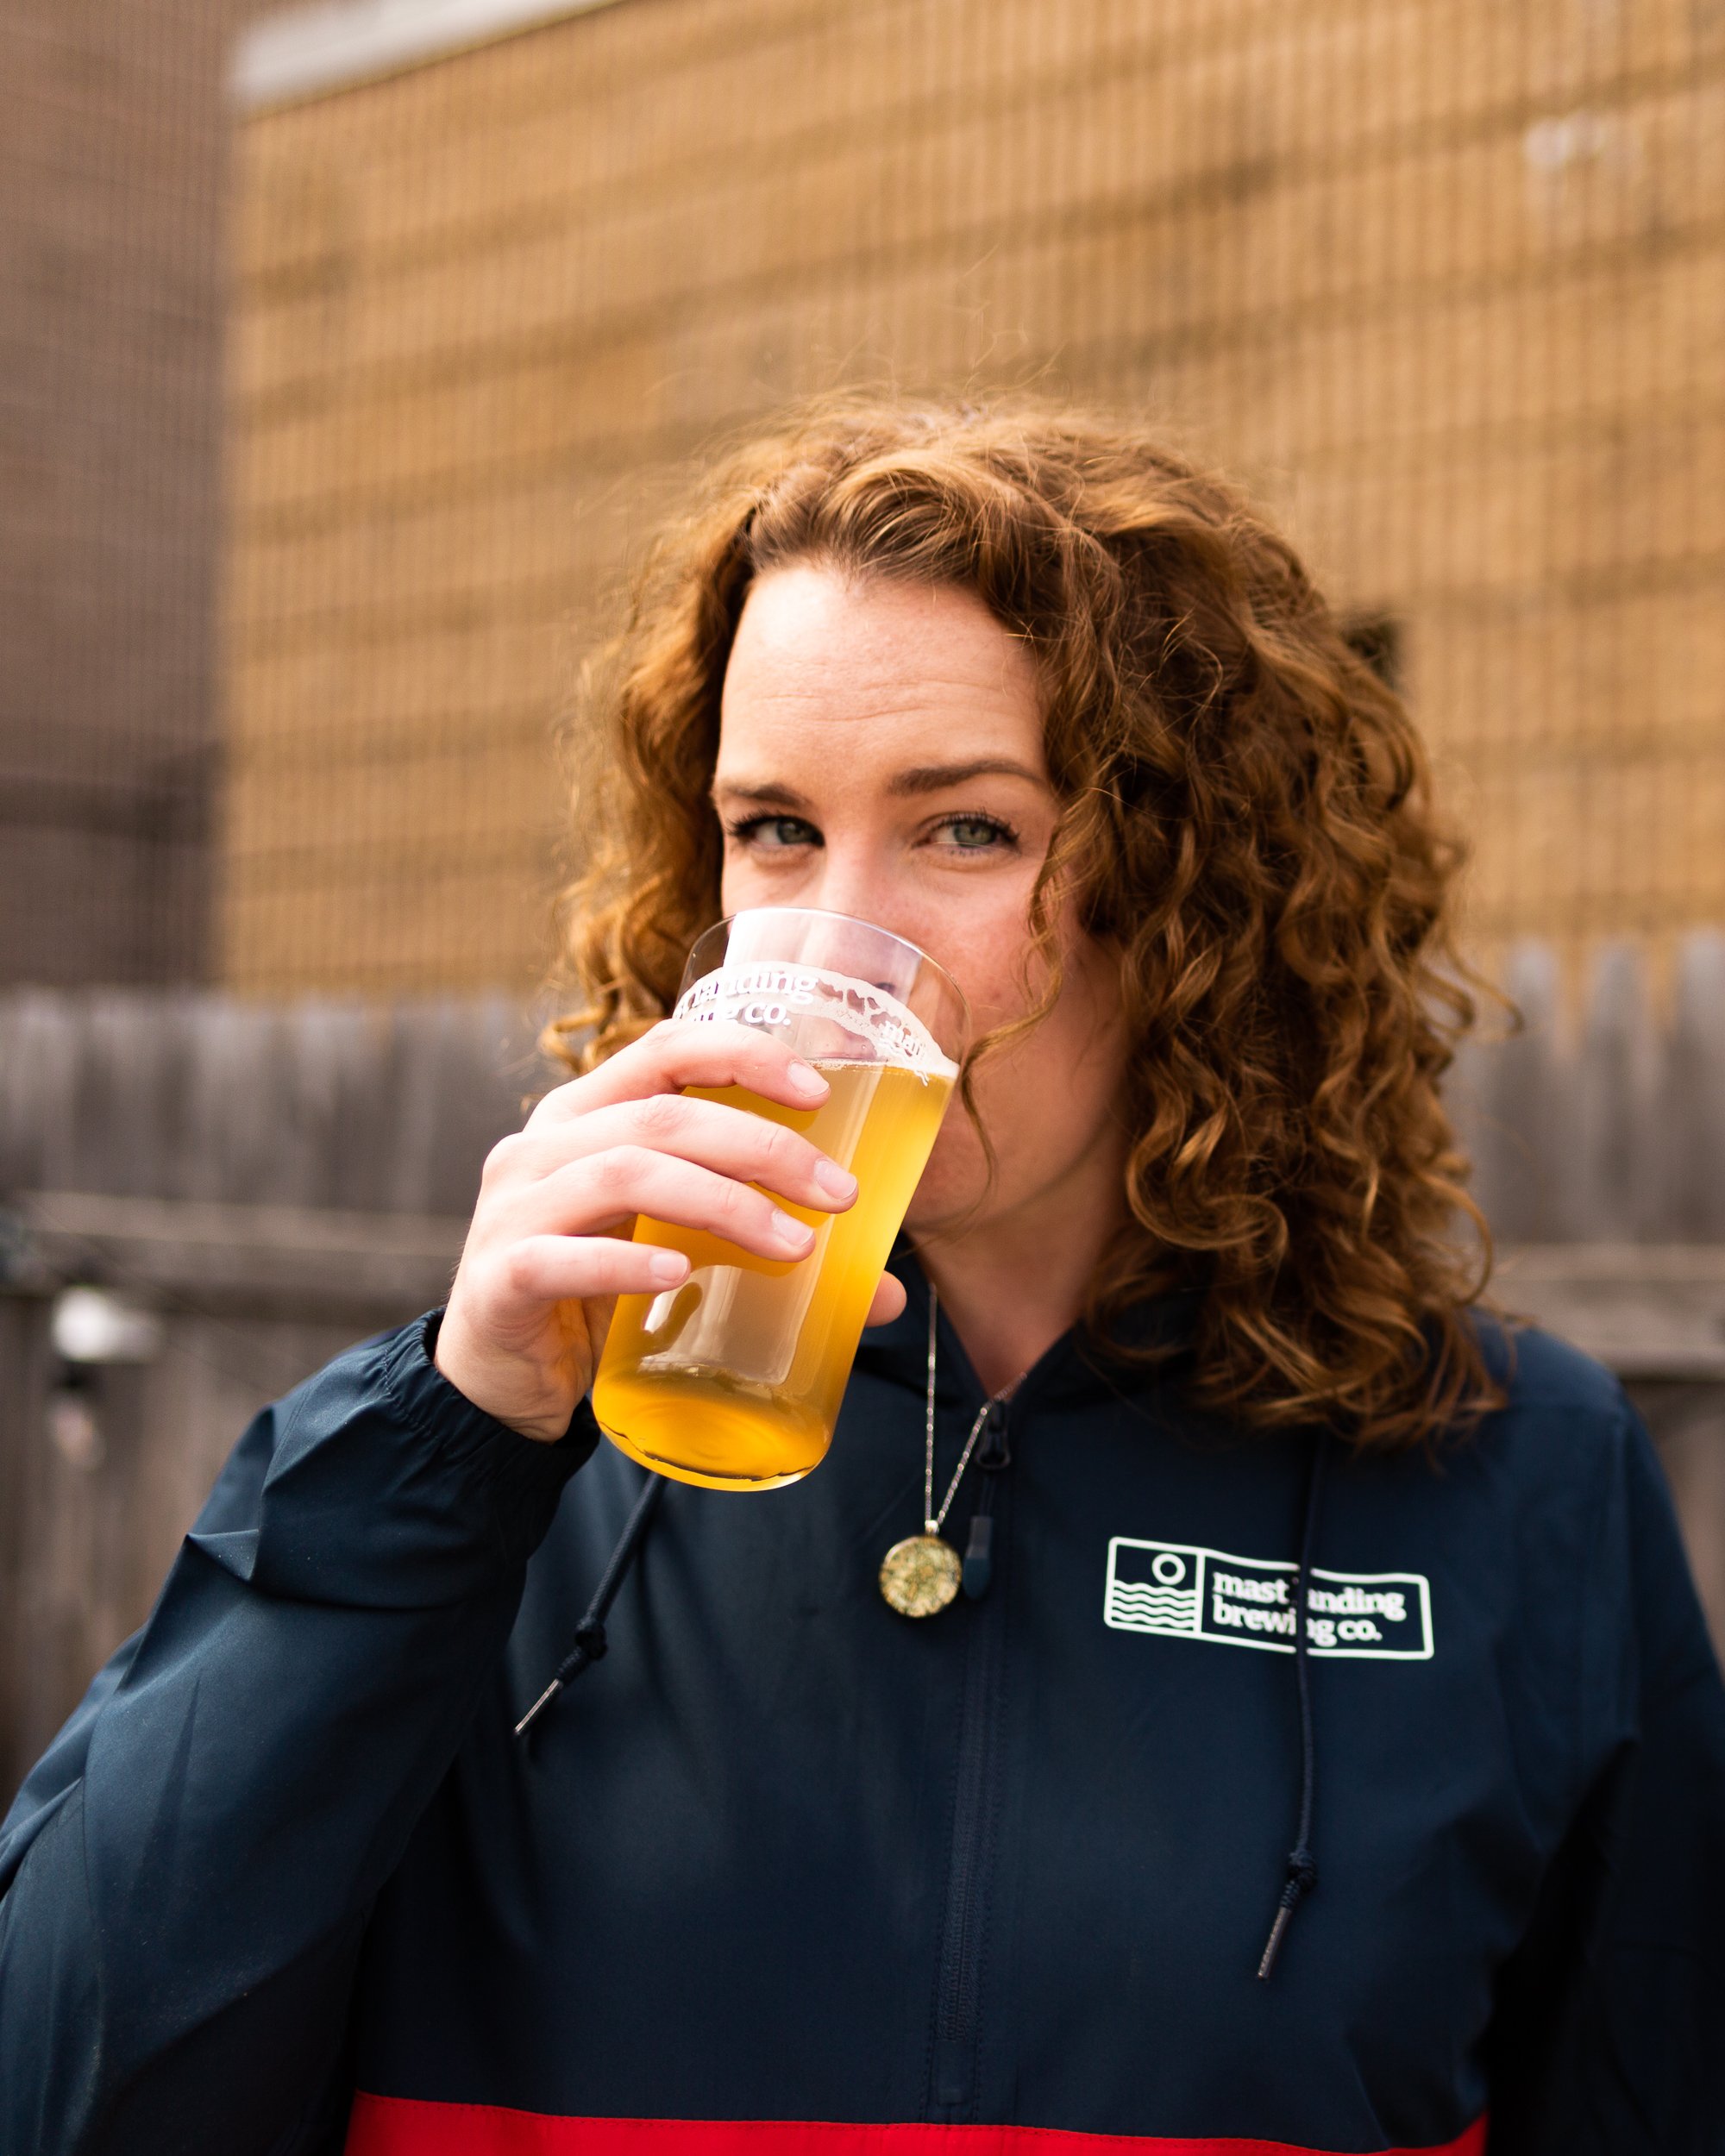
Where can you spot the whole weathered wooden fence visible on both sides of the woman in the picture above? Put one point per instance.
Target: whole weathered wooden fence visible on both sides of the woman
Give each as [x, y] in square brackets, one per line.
[271, 1185]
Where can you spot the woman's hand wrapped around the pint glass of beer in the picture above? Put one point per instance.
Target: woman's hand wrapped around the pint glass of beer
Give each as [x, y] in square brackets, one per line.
[547, 1254]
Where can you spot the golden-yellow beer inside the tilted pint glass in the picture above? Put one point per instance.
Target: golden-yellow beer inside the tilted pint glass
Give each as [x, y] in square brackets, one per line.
[734, 1379]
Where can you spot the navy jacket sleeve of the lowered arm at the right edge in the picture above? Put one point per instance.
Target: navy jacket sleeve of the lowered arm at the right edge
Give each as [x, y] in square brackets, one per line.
[1610, 2021]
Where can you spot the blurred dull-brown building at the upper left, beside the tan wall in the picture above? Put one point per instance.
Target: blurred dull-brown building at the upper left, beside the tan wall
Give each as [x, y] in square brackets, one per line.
[113, 158]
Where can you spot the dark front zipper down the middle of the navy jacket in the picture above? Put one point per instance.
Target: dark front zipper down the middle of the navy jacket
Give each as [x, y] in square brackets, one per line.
[958, 1974]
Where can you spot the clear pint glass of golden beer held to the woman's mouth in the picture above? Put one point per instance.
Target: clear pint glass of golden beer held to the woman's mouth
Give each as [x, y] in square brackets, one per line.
[734, 1379]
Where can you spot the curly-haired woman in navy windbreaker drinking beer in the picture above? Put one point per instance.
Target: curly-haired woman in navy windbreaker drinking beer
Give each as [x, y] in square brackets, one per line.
[790, 1870]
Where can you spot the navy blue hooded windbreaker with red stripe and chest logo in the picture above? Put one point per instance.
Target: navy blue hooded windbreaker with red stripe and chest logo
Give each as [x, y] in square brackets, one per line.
[993, 1881]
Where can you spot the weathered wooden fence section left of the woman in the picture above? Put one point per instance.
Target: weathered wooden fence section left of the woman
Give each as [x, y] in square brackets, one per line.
[273, 1185]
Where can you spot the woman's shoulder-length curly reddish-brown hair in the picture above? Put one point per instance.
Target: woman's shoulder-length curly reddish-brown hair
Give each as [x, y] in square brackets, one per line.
[1245, 818]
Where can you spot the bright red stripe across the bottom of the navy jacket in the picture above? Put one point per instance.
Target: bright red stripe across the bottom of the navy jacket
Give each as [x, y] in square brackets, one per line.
[406, 2127]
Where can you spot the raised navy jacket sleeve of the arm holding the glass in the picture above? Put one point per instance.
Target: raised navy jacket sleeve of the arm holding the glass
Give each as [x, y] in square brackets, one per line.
[187, 1877]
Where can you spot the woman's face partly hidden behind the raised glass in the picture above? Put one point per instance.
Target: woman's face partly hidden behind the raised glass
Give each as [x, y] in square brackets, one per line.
[881, 756]
